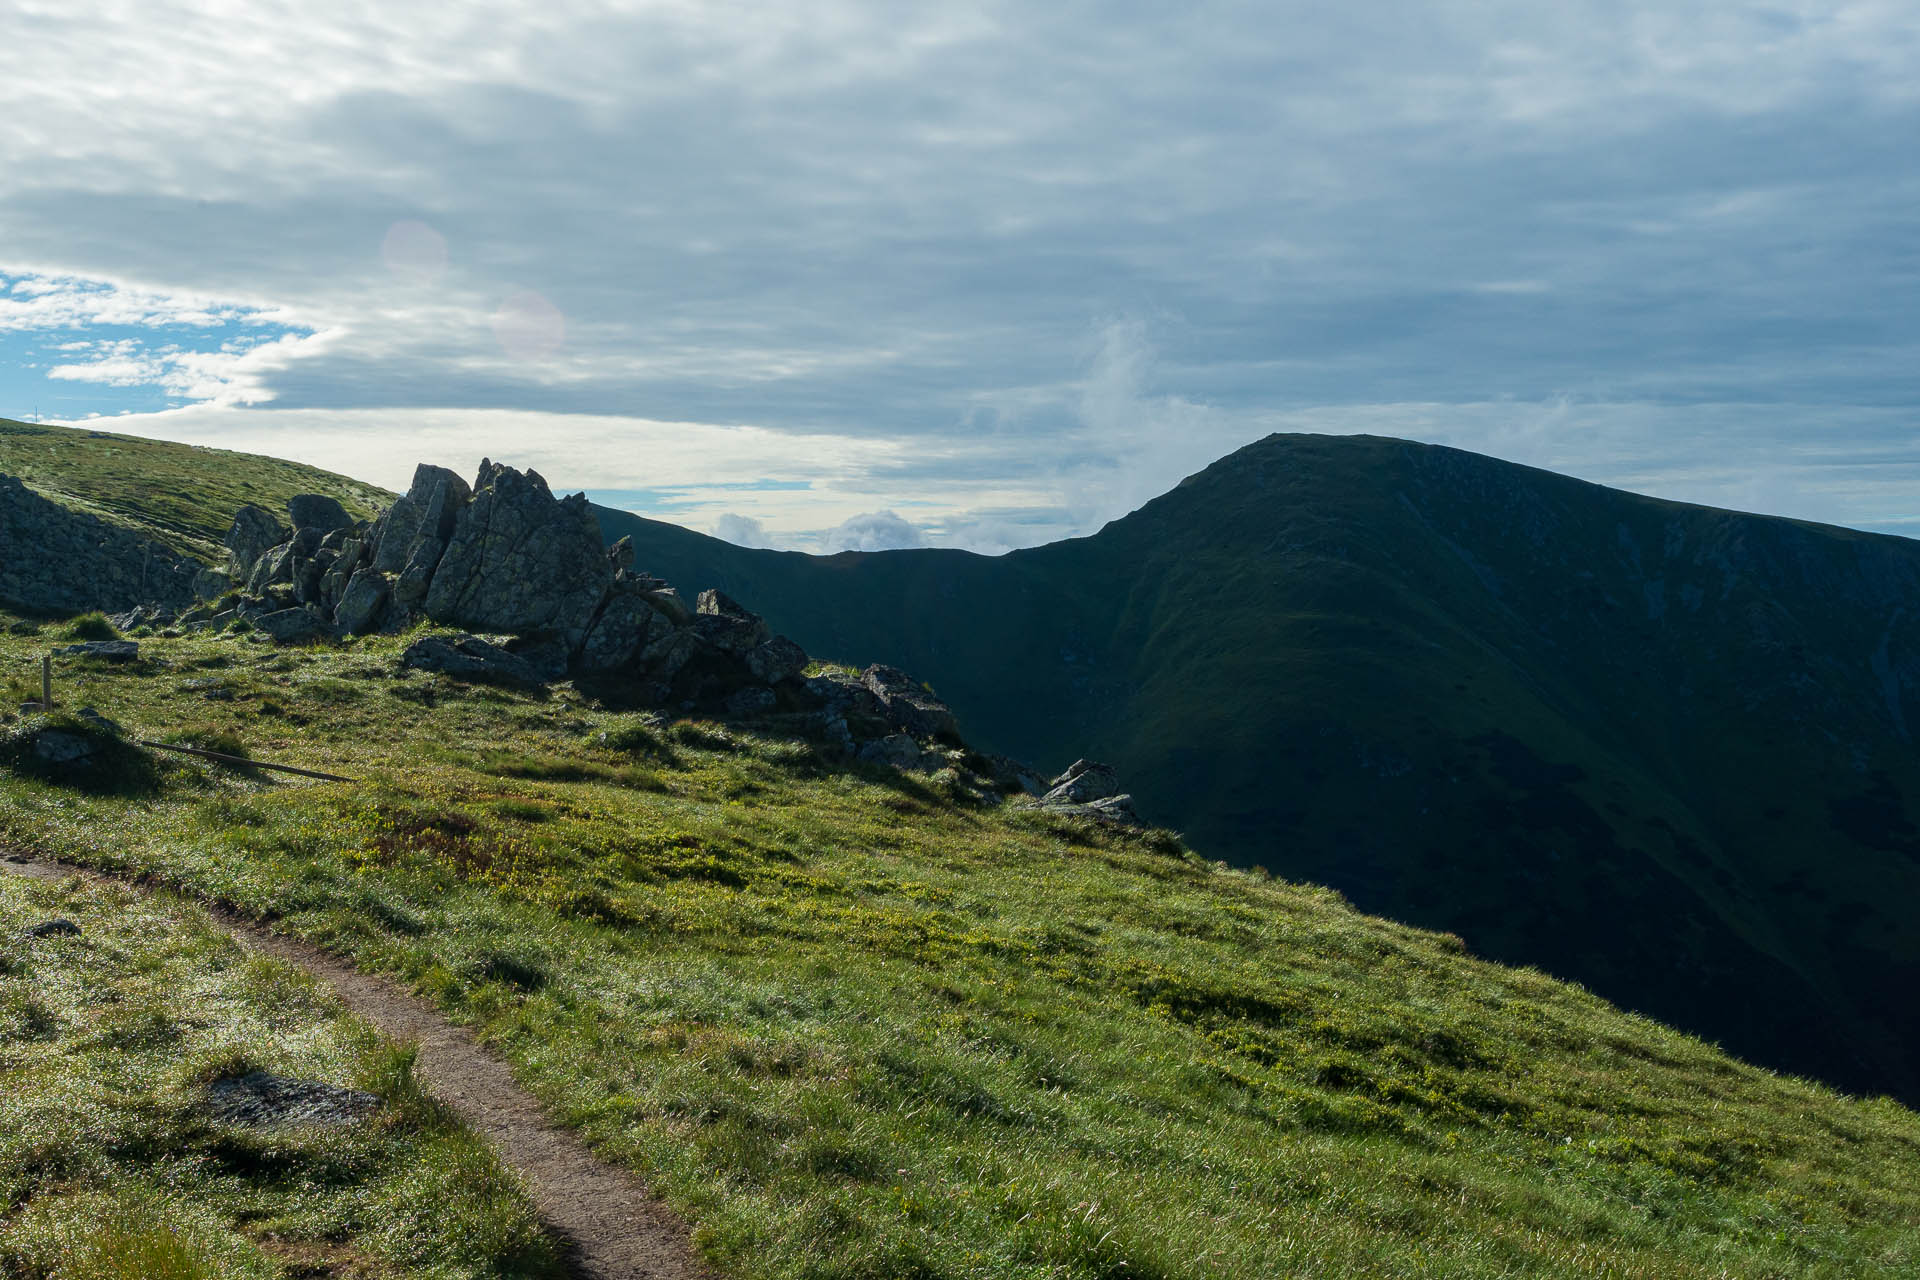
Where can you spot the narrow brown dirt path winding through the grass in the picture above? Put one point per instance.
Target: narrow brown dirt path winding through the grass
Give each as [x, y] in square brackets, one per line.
[610, 1221]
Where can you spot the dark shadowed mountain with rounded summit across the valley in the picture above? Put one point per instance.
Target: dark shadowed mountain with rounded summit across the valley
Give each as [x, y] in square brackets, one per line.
[1660, 749]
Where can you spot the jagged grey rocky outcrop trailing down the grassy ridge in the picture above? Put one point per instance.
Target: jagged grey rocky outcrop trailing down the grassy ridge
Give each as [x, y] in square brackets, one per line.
[539, 598]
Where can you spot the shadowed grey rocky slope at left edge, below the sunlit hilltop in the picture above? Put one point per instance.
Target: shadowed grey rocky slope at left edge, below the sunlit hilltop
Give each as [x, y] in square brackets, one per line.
[60, 561]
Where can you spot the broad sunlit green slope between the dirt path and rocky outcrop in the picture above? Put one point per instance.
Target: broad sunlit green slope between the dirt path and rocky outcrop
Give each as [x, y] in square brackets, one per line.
[855, 1030]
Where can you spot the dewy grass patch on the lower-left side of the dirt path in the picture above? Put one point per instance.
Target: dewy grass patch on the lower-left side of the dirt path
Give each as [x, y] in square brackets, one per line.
[112, 1170]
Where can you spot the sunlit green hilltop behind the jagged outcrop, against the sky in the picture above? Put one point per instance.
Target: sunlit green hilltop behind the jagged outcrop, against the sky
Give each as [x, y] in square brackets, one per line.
[183, 496]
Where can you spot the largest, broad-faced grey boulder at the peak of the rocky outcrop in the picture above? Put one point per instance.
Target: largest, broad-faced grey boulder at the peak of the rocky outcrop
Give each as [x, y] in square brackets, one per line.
[521, 561]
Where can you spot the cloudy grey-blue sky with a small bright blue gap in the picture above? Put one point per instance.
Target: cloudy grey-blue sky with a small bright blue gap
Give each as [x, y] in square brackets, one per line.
[830, 275]
